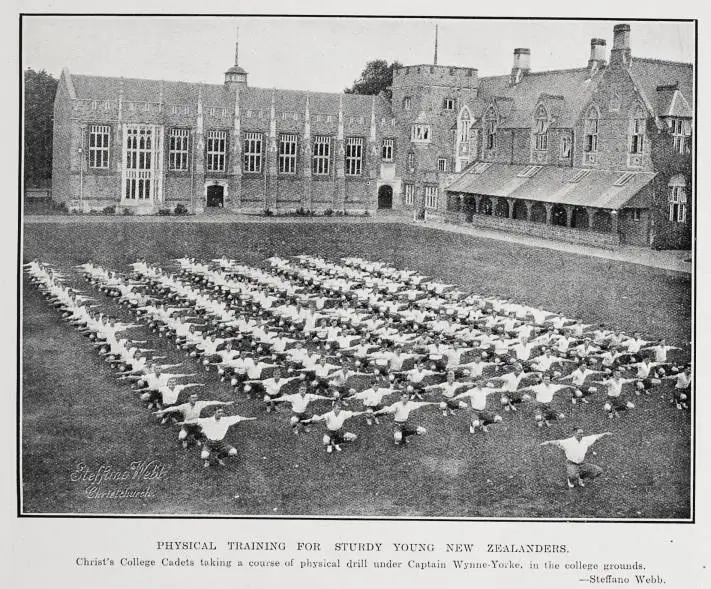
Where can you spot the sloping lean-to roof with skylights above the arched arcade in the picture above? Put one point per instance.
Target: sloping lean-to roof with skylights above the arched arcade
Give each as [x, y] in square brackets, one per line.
[551, 184]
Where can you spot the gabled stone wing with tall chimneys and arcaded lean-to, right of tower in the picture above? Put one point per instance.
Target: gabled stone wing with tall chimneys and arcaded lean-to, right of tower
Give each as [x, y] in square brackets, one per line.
[600, 154]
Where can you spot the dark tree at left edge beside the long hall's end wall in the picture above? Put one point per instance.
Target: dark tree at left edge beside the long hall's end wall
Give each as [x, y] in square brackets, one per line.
[40, 88]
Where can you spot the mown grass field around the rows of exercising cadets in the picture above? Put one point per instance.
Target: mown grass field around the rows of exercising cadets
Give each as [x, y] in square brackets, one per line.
[74, 410]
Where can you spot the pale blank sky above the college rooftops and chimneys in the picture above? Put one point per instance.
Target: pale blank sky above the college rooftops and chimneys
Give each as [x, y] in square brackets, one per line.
[320, 54]
